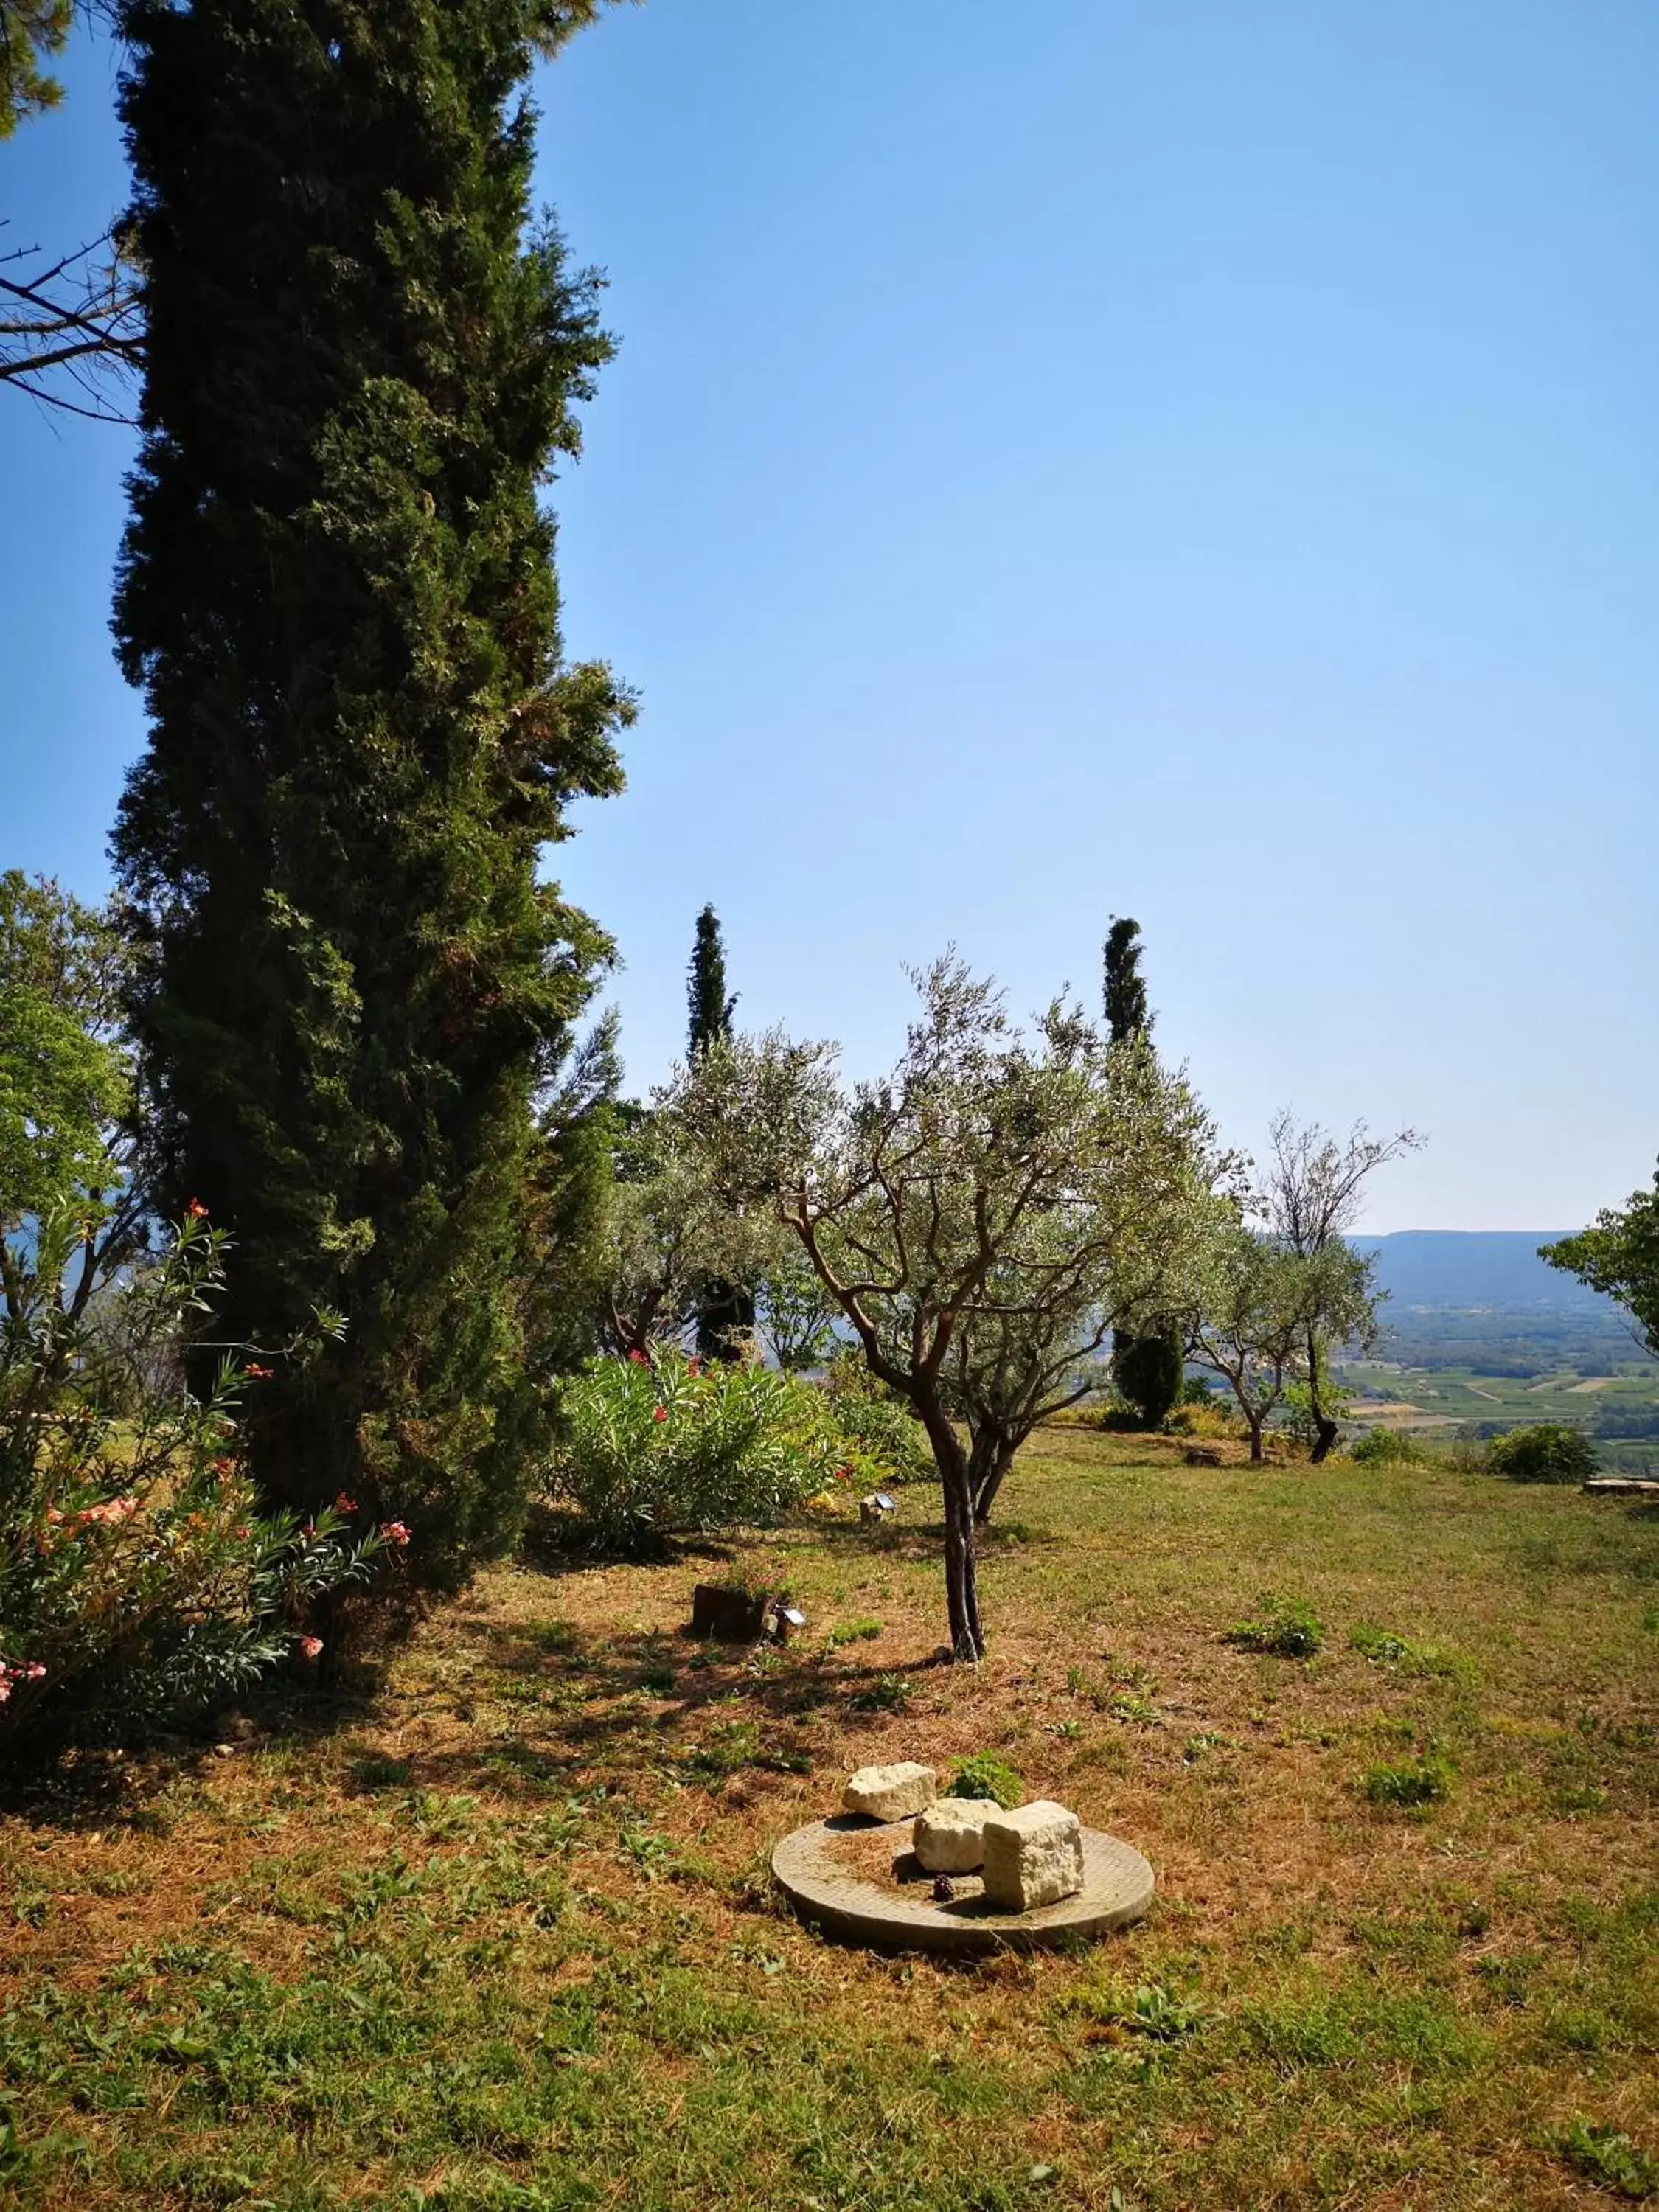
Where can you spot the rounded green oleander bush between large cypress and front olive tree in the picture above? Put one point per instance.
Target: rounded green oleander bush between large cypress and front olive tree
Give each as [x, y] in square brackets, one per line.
[649, 1448]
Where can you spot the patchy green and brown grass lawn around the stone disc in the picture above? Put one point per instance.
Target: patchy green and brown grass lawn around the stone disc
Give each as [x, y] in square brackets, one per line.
[499, 1932]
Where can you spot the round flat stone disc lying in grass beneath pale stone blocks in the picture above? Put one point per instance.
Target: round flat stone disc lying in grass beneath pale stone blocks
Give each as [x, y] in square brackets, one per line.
[859, 1879]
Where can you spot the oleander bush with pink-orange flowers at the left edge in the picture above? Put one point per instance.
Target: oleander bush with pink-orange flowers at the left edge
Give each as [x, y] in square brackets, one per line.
[138, 1578]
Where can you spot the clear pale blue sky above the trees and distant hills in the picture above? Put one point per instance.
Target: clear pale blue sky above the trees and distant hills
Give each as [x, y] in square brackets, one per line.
[1196, 463]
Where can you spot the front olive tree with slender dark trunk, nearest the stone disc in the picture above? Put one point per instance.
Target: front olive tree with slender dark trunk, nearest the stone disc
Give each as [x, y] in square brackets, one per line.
[983, 1215]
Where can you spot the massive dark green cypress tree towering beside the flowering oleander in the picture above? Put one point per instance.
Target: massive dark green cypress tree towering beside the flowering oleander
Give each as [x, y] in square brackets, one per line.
[337, 592]
